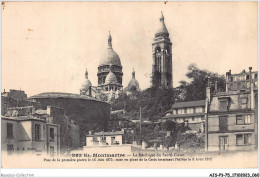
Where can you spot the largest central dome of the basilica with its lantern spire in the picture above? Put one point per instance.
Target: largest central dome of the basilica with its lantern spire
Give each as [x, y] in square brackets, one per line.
[109, 56]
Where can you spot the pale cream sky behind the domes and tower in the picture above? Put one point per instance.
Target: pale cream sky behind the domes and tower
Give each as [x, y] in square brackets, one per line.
[47, 46]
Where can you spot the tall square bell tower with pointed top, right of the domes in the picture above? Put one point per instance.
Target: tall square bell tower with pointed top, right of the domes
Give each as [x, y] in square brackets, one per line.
[162, 58]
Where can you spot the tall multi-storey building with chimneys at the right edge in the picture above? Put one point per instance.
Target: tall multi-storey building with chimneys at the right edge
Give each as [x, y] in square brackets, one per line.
[231, 119]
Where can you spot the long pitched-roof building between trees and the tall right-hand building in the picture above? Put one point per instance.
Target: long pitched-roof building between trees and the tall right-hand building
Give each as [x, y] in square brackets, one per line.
[192, 113]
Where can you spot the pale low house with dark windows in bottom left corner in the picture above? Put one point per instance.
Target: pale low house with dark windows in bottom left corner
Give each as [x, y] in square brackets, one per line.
[23, 132]
